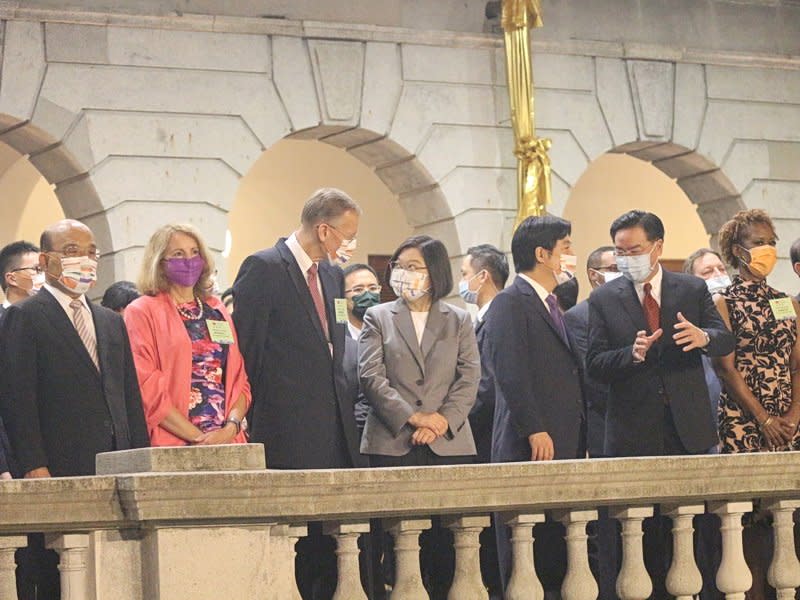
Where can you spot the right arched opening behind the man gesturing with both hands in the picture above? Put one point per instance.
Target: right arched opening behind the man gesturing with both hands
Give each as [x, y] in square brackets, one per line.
[689, 193]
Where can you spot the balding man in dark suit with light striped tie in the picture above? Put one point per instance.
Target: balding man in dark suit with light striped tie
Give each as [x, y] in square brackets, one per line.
[74, 392]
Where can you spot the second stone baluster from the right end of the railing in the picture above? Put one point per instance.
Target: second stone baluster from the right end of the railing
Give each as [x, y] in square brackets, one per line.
[734, 577]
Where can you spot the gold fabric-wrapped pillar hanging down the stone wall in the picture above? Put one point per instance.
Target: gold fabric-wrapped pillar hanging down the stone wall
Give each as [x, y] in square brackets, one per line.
[533, 163]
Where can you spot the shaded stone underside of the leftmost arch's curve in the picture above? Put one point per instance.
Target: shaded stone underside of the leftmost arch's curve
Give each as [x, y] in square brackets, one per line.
[71, 182]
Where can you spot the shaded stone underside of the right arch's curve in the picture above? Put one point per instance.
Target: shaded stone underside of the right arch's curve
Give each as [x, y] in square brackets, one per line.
[701, 180]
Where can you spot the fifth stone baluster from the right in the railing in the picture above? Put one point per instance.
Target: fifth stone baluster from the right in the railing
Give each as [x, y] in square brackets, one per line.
[579, 583]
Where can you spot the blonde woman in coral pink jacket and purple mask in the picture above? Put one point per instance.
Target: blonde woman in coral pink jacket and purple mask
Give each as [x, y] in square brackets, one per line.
[191, 373]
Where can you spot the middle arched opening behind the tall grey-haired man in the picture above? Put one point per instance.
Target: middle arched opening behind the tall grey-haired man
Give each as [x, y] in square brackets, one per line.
[397, 194]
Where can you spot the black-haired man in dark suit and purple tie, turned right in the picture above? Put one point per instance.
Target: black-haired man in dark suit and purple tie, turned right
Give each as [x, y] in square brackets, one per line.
[538, 398]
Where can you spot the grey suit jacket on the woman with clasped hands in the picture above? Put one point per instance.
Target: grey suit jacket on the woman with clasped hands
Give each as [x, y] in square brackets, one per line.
[400, 377]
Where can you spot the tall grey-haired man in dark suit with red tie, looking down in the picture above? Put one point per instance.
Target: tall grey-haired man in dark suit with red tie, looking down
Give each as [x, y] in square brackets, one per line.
[291, 317]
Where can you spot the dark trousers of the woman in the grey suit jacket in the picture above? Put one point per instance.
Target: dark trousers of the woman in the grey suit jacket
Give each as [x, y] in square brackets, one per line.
[437, 556]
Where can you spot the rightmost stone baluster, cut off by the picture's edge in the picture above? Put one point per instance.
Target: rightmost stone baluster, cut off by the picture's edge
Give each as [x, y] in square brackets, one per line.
[784, 570]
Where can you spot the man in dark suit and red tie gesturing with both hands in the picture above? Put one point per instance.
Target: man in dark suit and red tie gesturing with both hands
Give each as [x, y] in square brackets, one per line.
[647, 333]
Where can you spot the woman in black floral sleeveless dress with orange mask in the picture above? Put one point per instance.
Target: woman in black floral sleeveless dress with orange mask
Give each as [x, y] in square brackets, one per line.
[760, 407]
